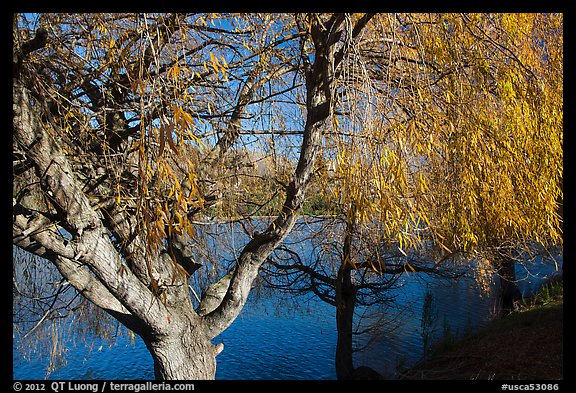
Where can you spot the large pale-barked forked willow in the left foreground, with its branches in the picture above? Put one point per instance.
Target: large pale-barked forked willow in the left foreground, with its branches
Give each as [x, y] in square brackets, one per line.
[127, 128]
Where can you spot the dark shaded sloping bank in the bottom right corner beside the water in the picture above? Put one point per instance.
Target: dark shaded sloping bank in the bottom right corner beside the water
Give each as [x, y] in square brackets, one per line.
[527, 344]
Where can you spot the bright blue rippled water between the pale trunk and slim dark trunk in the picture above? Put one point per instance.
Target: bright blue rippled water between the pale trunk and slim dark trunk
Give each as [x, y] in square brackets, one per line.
[280, 344]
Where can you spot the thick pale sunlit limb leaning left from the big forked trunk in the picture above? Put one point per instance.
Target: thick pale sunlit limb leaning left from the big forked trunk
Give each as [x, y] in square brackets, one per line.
[90, 243]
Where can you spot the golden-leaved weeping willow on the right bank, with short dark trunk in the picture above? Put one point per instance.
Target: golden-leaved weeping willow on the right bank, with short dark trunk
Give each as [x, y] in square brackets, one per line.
[468, 149]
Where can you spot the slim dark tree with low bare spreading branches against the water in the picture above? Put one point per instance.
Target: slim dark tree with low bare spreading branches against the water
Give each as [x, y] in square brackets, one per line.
[351, 266]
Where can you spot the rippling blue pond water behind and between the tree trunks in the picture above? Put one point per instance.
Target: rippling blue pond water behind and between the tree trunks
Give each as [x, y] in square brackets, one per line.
[278, 337]
